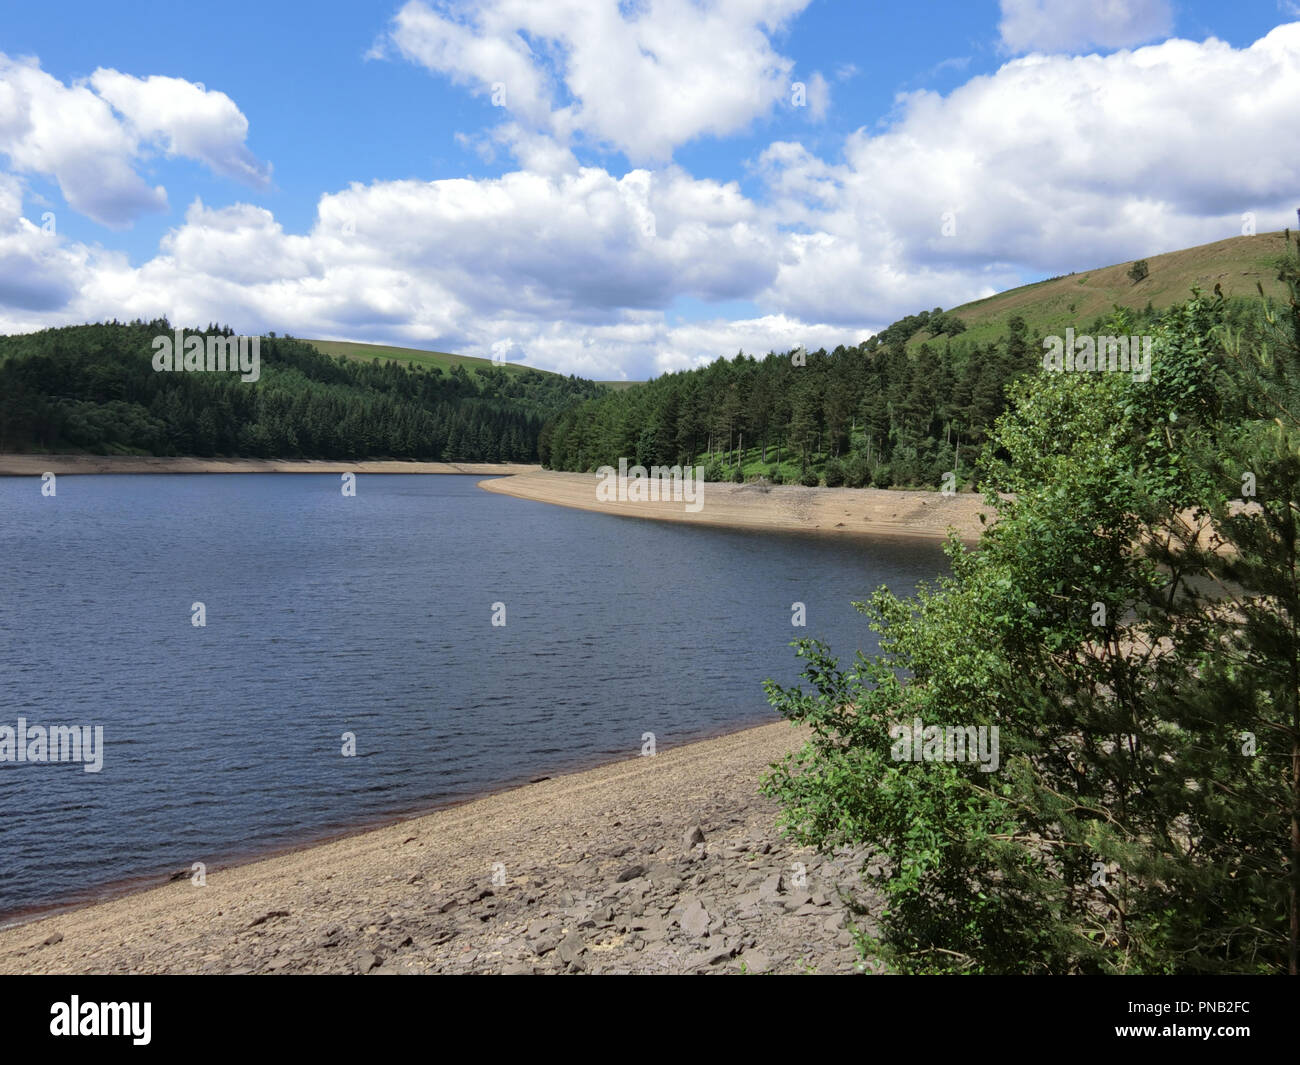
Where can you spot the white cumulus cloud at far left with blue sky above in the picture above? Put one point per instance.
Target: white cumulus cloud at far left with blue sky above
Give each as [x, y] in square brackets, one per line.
[90, 137]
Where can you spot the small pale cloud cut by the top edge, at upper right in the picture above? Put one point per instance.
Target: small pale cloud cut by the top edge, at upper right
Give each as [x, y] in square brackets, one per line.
[1074, 25]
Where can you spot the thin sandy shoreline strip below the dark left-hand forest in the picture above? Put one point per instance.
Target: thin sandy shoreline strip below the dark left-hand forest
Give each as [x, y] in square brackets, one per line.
[33, 466]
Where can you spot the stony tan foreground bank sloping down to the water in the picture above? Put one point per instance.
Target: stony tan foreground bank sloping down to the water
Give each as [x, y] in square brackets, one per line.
[665, 864]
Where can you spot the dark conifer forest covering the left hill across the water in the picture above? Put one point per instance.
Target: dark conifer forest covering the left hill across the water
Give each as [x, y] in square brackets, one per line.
[93, 388]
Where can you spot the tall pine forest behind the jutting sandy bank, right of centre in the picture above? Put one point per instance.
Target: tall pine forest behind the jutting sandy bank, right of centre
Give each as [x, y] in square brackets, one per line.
[887, 413]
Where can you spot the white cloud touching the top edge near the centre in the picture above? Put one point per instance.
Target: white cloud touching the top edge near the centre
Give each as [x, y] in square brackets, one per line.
[643, 79]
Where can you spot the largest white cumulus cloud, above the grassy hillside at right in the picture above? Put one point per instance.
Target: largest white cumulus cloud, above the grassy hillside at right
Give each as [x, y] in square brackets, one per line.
[1051, 164]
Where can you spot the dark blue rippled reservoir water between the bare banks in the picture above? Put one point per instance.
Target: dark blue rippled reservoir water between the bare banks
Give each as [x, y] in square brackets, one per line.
[369, 616]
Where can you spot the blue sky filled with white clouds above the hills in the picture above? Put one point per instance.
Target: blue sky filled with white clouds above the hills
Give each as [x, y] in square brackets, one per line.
[621, 188]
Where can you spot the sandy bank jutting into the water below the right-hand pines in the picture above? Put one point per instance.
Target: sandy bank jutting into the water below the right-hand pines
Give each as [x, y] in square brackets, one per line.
[831, 512]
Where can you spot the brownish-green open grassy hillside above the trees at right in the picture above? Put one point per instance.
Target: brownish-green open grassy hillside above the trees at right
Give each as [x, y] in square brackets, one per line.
[1076, 300]
